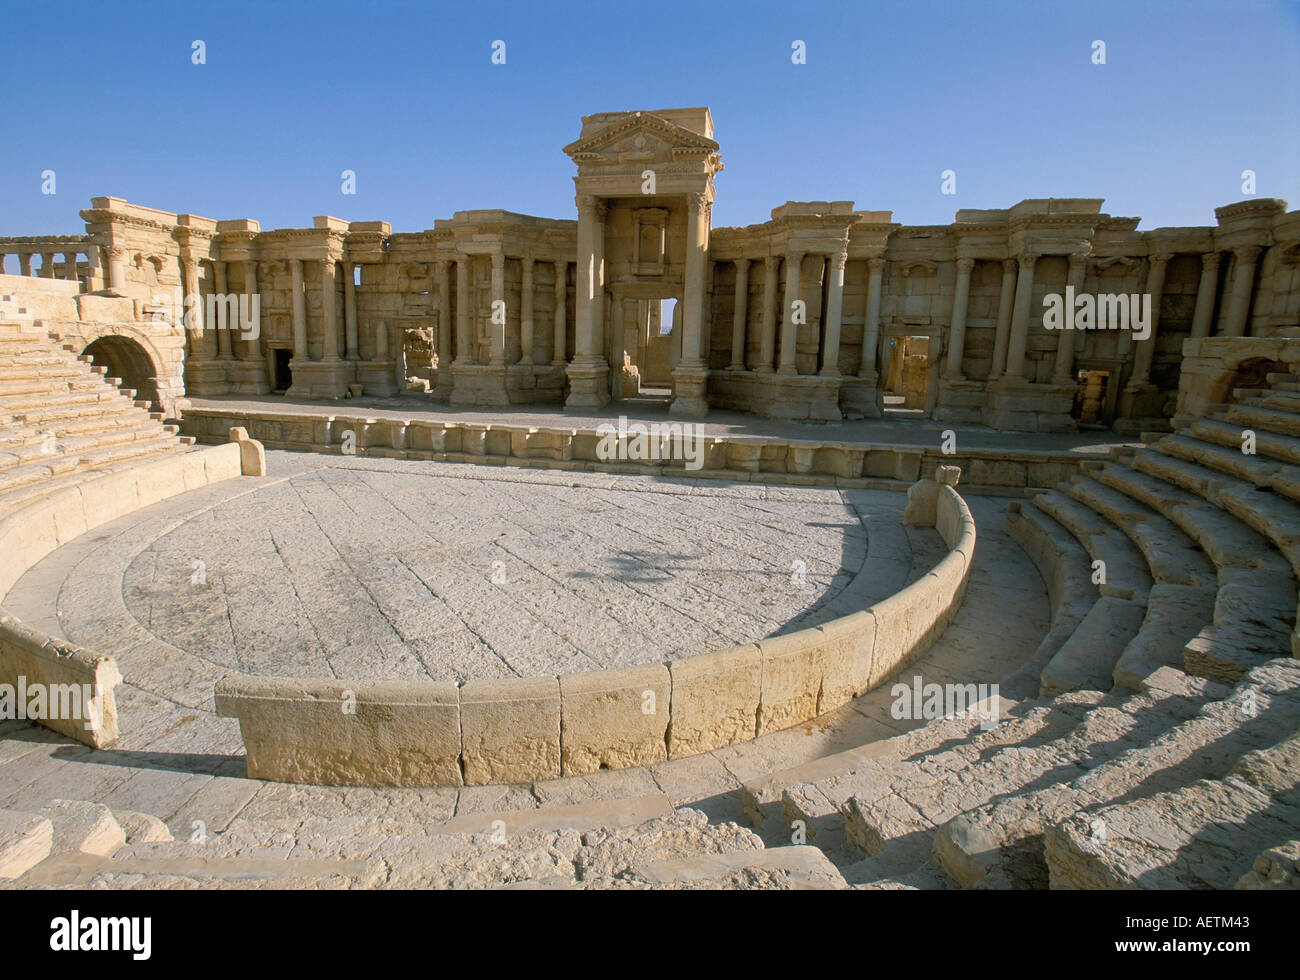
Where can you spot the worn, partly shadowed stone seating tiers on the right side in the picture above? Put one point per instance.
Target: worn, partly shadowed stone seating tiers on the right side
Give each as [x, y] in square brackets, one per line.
[1134, 734]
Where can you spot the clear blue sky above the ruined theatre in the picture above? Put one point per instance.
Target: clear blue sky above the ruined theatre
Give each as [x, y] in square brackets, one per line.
[406, 96]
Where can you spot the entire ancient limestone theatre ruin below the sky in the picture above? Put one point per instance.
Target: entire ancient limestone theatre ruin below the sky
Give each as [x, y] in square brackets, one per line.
[332, 558]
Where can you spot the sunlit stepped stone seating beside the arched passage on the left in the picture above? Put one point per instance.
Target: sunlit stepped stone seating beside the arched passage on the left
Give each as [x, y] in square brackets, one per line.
[60, 418]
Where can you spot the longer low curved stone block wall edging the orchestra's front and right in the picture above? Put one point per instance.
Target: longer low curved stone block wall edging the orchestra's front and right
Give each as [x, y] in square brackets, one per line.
[525, 730]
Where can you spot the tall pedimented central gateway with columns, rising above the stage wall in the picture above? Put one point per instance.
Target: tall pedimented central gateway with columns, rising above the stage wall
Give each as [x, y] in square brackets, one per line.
[645, 190]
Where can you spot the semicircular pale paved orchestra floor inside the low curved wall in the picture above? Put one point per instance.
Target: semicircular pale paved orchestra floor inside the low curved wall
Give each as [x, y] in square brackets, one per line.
[383, 569]
